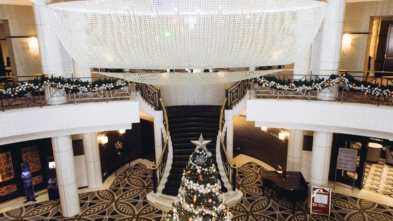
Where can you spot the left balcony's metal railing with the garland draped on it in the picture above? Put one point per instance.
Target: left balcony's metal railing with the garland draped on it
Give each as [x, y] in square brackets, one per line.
[38, 91]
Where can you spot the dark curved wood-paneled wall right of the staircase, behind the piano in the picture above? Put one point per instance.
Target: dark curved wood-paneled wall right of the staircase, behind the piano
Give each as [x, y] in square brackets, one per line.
[254, 142]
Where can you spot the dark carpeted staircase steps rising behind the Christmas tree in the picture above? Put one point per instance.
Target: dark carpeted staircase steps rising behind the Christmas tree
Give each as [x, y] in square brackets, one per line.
[186, 124]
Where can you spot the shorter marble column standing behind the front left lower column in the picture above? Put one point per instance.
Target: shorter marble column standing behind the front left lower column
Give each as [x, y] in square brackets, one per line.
[92, 159]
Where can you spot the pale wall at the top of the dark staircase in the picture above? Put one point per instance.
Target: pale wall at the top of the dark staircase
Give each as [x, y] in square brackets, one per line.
[193, 94]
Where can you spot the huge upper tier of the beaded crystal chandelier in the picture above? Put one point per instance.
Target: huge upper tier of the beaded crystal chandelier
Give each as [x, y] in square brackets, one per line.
[179, 34]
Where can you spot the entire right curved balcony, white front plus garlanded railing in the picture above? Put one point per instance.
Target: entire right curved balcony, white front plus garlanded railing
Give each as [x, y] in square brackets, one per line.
[354, 105]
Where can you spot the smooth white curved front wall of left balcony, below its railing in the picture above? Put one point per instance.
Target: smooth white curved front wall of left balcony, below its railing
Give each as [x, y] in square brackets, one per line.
[49, 121]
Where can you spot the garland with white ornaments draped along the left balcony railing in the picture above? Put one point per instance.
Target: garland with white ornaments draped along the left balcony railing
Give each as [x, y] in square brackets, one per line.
[70, 86]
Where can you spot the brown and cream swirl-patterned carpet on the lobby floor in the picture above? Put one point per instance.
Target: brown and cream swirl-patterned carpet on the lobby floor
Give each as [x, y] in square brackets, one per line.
[126, 200]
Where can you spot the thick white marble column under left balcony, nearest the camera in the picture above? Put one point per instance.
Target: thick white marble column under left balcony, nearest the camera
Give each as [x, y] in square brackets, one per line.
[65, 172]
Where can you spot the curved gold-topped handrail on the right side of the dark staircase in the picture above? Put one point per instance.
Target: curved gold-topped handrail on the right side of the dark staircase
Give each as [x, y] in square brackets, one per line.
[233, 167]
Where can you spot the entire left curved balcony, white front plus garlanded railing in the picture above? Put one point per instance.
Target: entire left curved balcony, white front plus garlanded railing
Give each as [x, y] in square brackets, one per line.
[37, 108]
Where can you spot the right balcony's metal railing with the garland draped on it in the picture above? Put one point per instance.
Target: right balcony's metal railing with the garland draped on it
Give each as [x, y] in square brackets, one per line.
[348, 87]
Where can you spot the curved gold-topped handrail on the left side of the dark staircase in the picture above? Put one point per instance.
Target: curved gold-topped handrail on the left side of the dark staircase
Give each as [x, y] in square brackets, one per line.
[158, 167]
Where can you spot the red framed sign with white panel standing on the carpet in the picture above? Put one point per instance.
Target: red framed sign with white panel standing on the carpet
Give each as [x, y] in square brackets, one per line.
[320, 200]
